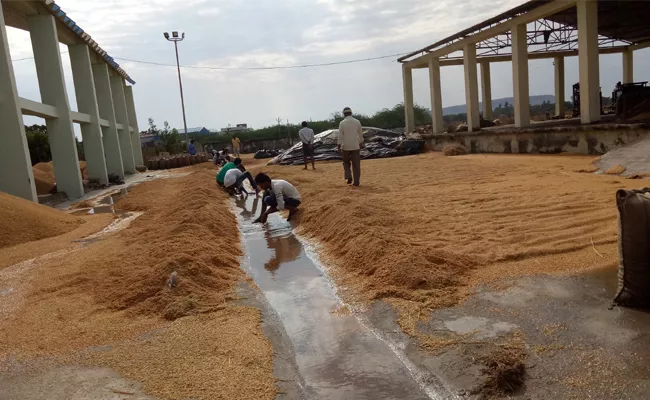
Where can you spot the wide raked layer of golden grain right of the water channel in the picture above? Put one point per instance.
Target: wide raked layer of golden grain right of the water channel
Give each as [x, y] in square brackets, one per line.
[422, 231]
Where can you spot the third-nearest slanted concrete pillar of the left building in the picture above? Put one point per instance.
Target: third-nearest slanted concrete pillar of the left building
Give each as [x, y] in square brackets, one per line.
[84, 86]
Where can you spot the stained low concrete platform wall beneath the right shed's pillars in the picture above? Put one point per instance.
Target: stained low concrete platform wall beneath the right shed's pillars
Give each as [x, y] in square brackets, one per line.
[575, 140]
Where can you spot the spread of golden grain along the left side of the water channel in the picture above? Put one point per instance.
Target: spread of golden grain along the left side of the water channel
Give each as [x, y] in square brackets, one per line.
[105, 303]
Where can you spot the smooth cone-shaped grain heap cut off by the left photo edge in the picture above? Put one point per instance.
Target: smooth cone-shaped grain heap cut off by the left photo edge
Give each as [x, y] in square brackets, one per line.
[24, 221]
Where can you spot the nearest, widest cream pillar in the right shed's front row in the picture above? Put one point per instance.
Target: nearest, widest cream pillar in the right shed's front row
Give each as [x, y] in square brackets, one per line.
[588, 60]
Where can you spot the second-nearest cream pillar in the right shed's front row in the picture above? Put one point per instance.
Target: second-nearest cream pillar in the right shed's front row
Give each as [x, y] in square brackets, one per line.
[520, 75]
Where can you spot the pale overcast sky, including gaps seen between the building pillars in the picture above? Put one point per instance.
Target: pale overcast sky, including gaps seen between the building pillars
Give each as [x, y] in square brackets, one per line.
[256, 33]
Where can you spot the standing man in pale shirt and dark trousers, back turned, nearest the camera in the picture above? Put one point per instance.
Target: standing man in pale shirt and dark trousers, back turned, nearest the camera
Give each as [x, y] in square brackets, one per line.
[350, 143]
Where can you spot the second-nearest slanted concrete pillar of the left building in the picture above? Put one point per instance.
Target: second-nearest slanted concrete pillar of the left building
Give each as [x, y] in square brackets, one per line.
[51, 82]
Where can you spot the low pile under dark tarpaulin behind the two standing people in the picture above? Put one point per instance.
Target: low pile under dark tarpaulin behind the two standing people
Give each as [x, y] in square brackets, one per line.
[378, 143]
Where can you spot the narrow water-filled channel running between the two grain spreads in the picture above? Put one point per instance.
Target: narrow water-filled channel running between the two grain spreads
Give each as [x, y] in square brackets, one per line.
[338, 356]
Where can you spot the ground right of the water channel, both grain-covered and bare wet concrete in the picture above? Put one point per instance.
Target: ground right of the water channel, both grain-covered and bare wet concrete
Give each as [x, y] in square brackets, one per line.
[481, 253]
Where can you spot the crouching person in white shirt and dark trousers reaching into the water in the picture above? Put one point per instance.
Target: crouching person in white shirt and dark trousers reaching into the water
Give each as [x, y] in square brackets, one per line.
[278, 195]
